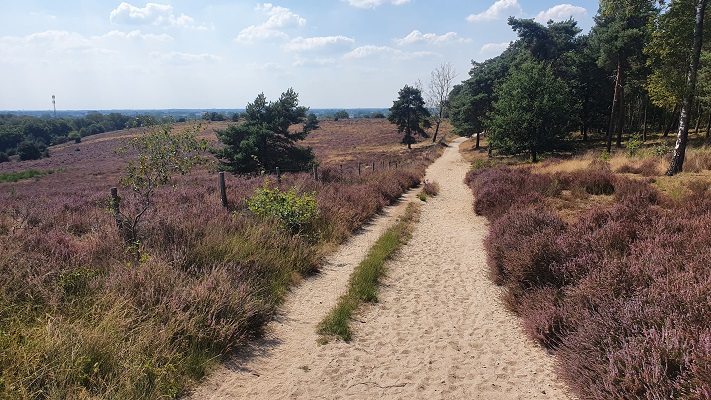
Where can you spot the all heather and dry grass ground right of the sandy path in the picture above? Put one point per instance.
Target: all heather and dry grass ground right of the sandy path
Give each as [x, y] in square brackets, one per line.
[607, 262]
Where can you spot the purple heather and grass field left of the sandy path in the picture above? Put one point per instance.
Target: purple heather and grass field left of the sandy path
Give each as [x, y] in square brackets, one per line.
[83, 314]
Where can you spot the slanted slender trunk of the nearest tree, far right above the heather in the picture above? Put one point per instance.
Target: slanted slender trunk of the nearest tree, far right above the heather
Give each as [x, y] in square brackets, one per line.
[677, 162]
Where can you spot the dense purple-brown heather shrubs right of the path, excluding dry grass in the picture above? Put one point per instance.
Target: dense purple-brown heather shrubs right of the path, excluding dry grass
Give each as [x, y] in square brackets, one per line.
[622, 293]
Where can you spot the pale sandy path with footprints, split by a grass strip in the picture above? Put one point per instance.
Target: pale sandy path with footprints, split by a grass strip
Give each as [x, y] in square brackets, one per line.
[438, 332]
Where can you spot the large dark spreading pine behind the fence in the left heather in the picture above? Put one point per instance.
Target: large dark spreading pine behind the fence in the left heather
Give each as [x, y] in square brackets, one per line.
[263, 141]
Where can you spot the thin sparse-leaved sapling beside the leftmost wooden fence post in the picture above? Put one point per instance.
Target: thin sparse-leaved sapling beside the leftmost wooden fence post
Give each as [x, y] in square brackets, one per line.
[161, 155]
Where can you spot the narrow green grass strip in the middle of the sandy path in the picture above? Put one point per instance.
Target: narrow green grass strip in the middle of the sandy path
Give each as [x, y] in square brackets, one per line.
[364, 281]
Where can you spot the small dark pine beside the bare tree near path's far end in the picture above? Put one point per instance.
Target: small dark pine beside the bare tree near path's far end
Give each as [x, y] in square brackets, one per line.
[410, 114]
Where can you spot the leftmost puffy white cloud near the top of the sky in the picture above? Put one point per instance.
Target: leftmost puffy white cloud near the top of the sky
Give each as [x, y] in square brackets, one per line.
[152, 14]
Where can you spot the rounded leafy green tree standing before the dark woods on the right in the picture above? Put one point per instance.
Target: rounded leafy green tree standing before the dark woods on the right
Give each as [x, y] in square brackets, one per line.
[532, 112]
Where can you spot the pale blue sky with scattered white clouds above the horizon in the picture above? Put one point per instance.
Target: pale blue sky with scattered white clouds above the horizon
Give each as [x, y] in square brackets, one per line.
[105, 54]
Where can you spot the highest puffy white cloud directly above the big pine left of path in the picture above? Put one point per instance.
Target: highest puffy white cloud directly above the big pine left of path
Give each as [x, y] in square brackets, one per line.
[279, 18]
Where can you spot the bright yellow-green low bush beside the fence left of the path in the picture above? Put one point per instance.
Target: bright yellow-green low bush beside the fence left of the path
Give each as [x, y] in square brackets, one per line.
[295, 212]
